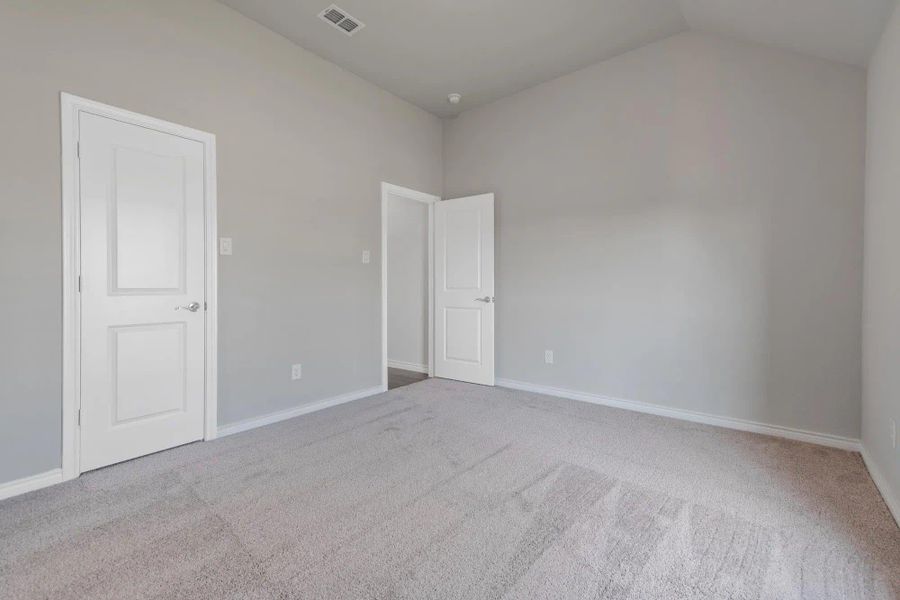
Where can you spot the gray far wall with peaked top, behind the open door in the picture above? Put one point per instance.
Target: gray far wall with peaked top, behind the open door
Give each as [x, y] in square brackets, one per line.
[681, 225]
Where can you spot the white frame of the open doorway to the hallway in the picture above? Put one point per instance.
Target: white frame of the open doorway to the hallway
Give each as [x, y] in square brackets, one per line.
[388, 189]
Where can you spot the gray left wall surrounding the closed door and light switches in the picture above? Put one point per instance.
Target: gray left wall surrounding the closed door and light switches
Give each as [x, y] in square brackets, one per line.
[302, 149]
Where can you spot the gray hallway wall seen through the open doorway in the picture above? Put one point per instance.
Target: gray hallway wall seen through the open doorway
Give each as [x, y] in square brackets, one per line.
[407, 280]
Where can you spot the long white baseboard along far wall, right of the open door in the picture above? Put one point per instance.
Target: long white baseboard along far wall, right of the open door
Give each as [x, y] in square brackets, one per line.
[822, 439]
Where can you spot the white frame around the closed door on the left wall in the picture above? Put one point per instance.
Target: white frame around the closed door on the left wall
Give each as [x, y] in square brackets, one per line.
[70, 109]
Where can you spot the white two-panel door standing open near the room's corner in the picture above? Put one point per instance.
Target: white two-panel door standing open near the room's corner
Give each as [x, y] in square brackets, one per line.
[464, 289]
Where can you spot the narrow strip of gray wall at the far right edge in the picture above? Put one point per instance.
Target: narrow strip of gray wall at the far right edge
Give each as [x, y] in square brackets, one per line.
[881, 313]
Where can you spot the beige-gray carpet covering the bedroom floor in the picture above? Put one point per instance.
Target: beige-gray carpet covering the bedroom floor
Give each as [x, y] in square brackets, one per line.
[447, 490]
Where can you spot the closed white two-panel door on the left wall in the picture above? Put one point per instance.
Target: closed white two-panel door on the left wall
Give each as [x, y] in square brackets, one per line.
[142, 290]
